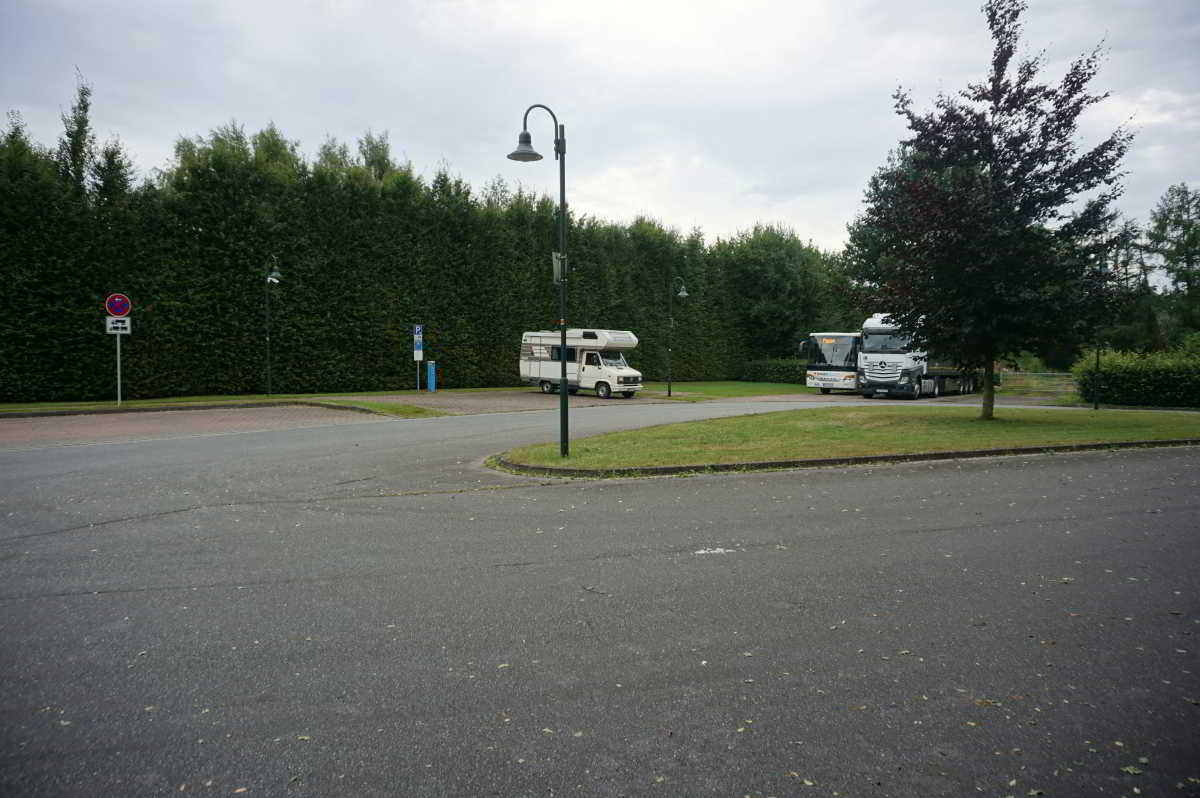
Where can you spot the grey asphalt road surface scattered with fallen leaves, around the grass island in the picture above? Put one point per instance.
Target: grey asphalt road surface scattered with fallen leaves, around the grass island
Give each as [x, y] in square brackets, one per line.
[347, 605]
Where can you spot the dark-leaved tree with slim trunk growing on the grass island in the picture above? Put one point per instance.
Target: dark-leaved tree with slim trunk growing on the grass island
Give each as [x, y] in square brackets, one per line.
[988, 232]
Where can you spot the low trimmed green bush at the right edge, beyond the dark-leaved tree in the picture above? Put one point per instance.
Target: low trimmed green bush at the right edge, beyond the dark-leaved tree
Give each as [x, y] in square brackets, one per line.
[1156, 380]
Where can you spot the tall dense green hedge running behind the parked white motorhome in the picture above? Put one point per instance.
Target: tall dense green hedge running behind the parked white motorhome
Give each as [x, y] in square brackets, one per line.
[367, 249]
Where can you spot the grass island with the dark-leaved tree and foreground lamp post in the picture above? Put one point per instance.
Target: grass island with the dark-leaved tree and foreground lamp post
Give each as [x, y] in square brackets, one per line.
[856, 433]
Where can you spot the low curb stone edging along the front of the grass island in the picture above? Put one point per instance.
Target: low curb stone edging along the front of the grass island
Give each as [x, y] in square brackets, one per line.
[825, 463]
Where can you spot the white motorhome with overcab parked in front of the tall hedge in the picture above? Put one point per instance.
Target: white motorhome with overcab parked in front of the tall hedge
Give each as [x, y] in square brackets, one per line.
[596, 361]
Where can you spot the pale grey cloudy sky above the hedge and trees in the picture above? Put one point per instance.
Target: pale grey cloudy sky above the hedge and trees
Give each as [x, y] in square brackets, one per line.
[699, 113]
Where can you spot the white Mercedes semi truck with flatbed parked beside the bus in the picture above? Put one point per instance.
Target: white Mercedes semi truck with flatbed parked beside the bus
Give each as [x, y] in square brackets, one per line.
[890, 367]
